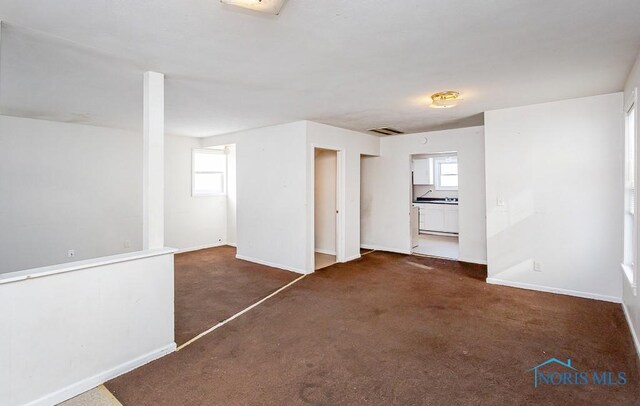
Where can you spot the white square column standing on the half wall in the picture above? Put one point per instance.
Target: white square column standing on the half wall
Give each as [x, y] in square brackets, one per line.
[153, 162]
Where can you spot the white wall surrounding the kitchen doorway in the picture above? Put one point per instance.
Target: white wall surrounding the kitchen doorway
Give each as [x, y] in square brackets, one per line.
[386, 188]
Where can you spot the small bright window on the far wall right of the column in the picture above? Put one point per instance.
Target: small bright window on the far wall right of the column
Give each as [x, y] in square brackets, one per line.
[209, 172]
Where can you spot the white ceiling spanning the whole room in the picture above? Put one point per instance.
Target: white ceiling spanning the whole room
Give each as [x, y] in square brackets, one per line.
[355, 64]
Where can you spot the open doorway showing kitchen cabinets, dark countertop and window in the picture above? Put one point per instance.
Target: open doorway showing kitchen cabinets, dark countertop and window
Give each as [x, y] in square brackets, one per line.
[434, 214]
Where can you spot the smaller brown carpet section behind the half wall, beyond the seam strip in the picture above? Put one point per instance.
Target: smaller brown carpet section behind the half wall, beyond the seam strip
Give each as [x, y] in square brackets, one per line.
[212, 285]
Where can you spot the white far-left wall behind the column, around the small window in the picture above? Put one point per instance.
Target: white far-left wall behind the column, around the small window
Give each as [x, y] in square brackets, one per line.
[80, 187]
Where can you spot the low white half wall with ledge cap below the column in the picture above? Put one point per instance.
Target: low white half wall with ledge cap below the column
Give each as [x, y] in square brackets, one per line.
[65, 333]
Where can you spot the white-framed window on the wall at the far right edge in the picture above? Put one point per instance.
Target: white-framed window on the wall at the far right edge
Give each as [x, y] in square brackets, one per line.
[630, 197]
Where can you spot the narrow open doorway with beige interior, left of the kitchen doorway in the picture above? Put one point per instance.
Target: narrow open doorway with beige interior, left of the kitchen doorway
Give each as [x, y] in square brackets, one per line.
[326, 207]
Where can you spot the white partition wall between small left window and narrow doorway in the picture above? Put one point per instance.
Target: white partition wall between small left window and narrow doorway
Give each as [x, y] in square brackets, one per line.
[271, 198]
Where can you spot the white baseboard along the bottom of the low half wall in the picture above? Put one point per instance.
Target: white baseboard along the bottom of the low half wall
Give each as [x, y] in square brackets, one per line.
[93, 381]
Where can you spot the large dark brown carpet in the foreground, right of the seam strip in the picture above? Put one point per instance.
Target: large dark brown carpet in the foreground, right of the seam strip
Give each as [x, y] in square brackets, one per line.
[394, 329]
